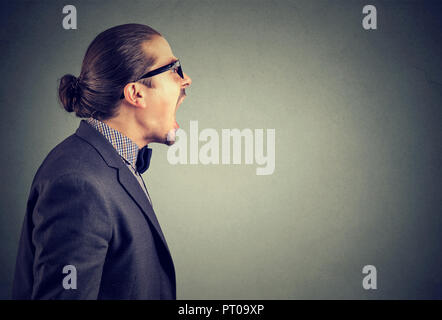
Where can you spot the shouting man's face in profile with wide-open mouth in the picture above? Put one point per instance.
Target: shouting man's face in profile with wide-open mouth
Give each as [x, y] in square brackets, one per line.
[165, 95]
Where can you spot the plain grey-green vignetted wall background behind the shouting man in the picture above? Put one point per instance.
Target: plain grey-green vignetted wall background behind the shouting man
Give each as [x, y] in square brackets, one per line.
[357, 116]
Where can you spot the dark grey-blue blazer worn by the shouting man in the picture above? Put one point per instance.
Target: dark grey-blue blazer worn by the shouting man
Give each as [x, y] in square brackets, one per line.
[86, 209]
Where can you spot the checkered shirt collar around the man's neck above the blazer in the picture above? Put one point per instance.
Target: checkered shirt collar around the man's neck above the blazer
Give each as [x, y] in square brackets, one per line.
[125, 147]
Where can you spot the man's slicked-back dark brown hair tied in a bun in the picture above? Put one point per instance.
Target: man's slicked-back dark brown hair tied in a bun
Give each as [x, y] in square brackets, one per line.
[113, 59]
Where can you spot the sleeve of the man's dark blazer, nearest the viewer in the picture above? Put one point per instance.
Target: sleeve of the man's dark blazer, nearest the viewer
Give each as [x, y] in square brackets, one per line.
[71, 228]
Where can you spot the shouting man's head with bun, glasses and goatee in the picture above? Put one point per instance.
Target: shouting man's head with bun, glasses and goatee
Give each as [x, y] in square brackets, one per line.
[112, 67]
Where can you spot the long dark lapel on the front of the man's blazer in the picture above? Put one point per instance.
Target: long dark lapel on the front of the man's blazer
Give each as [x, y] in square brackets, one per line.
[125, 177]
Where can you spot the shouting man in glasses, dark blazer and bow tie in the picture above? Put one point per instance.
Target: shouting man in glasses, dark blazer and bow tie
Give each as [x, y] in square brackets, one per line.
[90, 231]
